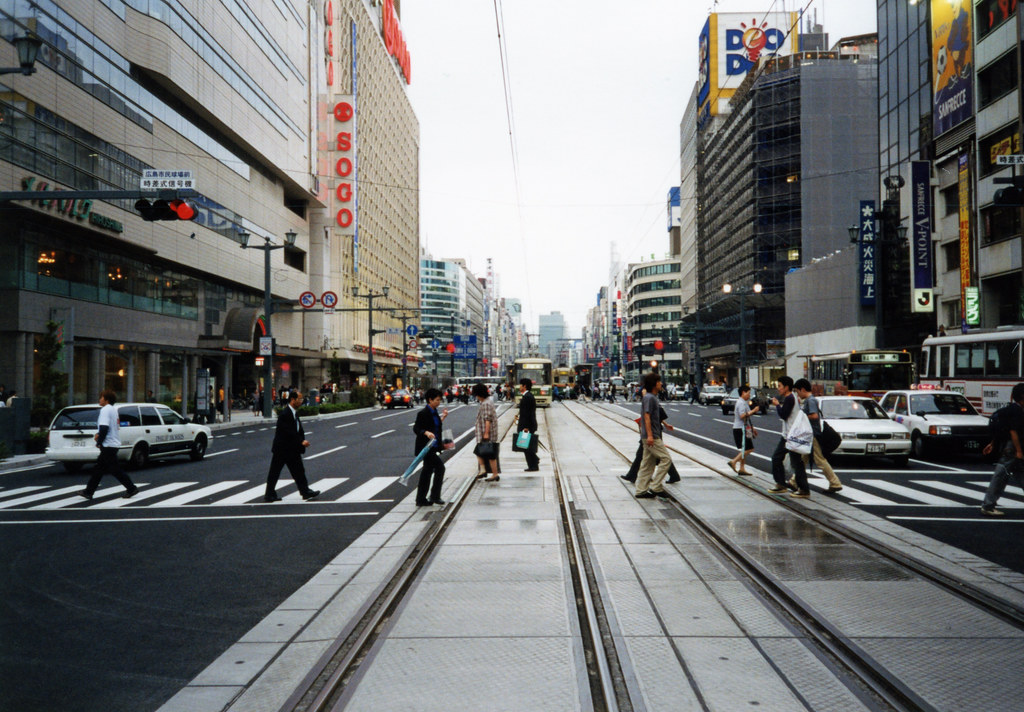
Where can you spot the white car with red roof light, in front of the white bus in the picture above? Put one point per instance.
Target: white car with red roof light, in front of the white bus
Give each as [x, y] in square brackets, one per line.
[937, 421]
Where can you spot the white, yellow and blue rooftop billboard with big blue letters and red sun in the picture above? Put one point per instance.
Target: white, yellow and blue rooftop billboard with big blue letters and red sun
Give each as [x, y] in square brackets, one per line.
[731, 46]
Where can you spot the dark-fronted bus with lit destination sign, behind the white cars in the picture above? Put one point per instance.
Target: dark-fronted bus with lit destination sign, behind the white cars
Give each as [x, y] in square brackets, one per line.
[872, 372]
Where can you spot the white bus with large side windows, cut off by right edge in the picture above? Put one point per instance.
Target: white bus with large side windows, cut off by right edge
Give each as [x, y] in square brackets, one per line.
[983, 366]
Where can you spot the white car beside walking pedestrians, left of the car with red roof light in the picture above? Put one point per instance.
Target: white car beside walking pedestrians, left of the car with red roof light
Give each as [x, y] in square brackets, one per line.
[866, 429]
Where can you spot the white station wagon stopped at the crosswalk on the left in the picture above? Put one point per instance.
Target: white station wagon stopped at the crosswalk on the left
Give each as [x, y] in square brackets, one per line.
[148, 431]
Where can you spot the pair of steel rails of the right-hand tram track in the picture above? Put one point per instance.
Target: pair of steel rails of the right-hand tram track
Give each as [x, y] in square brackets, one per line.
[842, 655]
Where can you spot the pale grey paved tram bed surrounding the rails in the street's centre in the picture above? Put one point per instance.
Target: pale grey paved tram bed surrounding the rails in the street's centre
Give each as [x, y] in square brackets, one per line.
[493, 620]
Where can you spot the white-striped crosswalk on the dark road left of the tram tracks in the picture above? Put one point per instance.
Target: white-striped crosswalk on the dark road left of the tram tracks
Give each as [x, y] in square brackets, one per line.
[231, 493]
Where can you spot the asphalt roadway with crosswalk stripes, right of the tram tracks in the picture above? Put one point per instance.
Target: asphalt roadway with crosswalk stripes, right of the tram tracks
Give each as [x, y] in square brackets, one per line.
[941, 499]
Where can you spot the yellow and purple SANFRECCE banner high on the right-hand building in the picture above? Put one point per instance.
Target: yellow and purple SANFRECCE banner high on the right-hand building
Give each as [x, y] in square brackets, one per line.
[953, 65]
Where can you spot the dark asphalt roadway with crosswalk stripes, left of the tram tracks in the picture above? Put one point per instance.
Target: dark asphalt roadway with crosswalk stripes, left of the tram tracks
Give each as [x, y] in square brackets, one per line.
[115, 605]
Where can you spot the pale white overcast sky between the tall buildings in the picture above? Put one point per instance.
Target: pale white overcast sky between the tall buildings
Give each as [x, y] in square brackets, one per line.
[599, 90]
